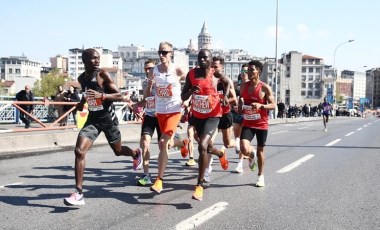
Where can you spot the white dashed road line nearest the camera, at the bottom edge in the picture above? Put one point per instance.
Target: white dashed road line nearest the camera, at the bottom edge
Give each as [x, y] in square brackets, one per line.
[202, 216]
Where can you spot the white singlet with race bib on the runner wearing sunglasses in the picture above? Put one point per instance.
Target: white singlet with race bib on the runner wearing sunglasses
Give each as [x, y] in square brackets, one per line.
[168, 91]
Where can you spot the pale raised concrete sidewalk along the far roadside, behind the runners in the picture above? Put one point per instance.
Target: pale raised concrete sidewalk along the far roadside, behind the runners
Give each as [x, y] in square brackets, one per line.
[18, 144]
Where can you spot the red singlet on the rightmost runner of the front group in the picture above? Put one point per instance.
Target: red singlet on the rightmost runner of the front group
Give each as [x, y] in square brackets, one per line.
[257, 119]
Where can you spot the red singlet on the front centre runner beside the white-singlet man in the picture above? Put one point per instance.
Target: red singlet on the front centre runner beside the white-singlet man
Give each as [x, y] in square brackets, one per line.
[206, 103]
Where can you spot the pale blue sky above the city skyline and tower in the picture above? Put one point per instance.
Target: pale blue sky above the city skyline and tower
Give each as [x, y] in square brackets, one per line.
[41, 29]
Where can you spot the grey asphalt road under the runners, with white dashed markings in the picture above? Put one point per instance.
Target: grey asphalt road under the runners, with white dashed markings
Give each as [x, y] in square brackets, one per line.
[314, 180]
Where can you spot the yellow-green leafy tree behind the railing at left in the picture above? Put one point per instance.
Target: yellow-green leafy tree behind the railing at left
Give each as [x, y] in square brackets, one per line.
[48, 84]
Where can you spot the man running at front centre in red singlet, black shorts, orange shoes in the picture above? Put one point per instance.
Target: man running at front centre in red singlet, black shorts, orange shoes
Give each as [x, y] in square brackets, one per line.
[206, 111]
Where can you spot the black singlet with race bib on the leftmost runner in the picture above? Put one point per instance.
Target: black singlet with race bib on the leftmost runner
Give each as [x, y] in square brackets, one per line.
[99, 111]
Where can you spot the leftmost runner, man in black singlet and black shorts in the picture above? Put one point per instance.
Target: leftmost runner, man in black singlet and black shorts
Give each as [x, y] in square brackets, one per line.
[99, 92]
